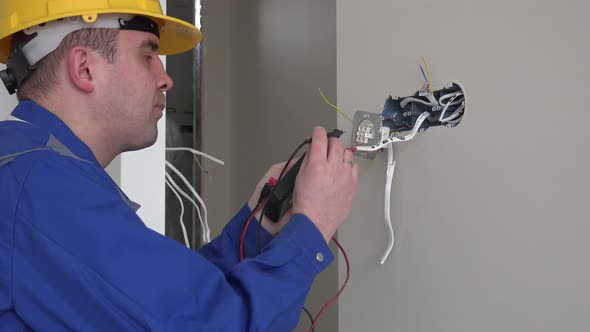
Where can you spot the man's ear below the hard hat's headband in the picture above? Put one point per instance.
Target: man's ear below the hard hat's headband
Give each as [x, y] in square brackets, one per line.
[81, 65]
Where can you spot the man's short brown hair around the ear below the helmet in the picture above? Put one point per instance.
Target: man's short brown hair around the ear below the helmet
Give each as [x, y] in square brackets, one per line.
[43, 79]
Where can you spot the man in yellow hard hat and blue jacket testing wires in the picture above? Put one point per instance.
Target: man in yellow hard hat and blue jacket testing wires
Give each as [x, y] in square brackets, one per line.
[73, 253]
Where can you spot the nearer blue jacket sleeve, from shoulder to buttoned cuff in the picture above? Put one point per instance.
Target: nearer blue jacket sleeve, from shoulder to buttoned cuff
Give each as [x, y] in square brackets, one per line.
[83, 260]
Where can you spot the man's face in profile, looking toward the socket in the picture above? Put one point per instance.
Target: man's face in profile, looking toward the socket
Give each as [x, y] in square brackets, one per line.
[134, 90]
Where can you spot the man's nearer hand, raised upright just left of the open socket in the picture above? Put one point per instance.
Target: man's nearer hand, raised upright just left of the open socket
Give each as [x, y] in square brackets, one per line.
[326, 183]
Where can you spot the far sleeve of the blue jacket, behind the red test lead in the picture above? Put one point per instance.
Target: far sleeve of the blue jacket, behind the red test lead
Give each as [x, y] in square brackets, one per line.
[224, 250]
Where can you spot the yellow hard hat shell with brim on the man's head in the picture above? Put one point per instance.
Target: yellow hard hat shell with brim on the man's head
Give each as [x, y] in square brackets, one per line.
[176, 36]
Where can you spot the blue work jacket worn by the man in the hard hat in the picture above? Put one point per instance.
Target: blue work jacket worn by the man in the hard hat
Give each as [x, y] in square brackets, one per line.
[74, 255]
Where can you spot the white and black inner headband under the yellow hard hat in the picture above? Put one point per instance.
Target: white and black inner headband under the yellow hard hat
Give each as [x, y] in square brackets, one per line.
[45, 38]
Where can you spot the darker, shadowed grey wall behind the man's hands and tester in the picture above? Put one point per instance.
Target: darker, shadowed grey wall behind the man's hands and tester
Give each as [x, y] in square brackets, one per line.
[263, 64]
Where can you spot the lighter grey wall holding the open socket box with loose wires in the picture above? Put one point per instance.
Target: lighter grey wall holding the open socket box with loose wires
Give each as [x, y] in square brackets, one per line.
[490, 217]
